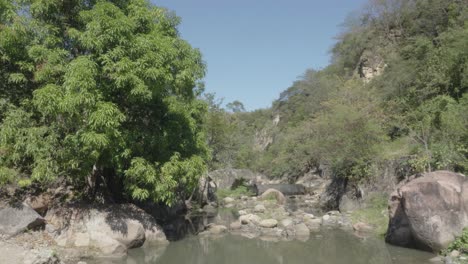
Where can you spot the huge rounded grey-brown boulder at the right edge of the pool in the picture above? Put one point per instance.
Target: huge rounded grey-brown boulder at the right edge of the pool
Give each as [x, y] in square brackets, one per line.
[429, 212]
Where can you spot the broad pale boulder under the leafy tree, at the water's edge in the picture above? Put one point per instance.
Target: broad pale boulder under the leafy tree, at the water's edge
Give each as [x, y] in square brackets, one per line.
[108, 230]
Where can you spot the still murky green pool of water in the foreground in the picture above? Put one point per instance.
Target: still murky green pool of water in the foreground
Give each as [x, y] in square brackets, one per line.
[332, 247]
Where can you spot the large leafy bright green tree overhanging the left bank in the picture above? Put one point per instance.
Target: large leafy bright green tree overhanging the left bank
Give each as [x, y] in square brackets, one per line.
[100, 92]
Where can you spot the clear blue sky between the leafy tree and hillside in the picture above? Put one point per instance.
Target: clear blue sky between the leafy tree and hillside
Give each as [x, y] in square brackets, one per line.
[254, 49]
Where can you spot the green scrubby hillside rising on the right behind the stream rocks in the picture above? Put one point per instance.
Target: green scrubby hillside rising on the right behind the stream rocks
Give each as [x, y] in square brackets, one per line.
[395, 90]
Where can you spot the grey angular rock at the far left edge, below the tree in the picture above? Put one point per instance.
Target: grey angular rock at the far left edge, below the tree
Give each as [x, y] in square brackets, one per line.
[14, 220]
